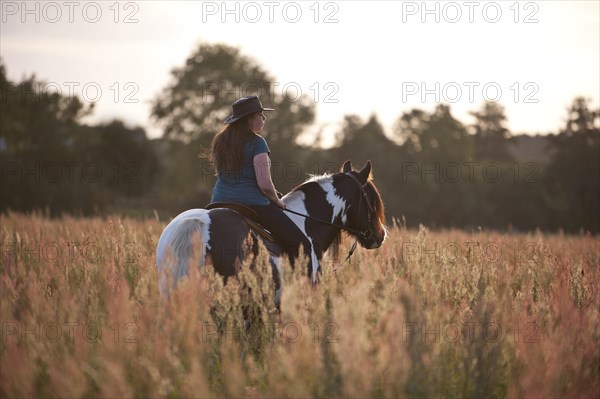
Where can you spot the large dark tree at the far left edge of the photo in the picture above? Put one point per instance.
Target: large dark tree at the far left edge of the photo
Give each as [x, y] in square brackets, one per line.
[37, 128]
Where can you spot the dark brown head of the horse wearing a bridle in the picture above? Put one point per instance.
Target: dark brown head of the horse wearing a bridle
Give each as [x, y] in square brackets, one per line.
[365, 211]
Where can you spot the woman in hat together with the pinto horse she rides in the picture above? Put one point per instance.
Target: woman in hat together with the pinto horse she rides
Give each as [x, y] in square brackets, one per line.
[319, 209]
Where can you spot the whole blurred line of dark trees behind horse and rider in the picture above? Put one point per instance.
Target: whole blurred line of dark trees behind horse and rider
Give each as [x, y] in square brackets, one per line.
[431, 168]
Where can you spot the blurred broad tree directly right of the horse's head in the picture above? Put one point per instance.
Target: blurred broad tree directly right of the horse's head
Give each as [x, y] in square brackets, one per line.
[432, 187]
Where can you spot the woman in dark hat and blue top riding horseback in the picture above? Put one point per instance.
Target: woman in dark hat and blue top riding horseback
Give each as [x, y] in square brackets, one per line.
[241, 160]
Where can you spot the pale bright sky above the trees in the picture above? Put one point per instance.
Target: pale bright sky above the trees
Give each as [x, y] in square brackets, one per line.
[348, 57]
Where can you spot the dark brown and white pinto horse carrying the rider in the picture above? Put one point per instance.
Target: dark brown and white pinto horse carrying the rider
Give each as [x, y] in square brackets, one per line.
[322, 207]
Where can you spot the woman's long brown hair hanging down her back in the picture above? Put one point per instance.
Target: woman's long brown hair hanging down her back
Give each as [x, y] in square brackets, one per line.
[227, 147]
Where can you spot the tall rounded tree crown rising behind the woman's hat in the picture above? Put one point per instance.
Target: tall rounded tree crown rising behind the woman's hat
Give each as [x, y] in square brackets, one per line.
[200, 95]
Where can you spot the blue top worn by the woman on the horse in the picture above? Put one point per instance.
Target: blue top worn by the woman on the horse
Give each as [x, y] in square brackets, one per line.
[241, 186]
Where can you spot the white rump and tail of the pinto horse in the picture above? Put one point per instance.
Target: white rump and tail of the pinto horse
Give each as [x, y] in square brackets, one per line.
[176, 246]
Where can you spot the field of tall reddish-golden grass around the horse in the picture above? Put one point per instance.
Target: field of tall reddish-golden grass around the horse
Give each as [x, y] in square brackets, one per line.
[430, 314]
